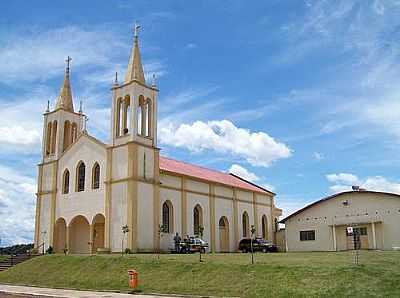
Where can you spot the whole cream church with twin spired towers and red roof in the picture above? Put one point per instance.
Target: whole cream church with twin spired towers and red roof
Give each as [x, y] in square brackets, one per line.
[88, 190]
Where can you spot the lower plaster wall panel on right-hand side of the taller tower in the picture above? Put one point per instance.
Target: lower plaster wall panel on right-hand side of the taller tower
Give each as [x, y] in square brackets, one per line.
[145, 216]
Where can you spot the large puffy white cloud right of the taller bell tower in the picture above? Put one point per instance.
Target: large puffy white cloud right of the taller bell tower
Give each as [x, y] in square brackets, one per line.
[257, 148]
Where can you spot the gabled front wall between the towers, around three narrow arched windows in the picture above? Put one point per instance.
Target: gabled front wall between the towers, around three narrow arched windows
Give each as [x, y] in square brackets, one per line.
[90, 201]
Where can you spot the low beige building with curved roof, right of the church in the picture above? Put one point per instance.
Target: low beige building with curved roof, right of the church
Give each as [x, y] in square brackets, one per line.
[322, 226]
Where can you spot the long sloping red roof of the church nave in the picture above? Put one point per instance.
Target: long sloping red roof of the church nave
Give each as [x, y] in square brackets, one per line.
[183, 168]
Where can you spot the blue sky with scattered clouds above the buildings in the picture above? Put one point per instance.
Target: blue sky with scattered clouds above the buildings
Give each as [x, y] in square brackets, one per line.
[299, 96]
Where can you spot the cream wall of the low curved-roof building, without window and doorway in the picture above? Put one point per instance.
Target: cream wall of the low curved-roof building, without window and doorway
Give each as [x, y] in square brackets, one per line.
[362, 207]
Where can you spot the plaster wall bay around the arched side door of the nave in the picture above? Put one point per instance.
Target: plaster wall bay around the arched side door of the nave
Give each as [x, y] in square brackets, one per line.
[224, 207]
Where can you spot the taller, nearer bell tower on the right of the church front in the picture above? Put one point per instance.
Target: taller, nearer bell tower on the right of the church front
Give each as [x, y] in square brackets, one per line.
[134, 157]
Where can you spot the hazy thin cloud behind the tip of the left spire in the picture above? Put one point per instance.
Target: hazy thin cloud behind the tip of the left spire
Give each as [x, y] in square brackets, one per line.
[40, 55]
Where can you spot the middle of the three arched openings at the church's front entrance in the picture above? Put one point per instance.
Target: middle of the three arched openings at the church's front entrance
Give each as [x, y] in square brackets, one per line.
[79, 235]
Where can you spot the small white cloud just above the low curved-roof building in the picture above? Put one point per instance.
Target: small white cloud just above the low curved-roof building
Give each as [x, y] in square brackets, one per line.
[344, 182]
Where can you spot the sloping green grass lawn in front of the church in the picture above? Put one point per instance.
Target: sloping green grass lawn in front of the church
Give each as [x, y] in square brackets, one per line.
[273, 275]
